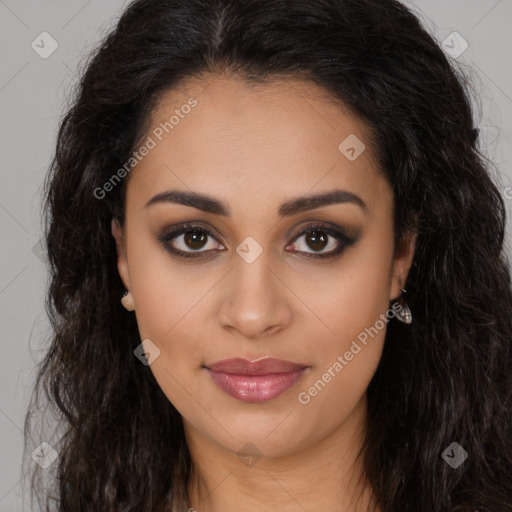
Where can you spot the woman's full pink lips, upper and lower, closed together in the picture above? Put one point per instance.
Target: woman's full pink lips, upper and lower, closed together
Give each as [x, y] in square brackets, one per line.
[255, 381]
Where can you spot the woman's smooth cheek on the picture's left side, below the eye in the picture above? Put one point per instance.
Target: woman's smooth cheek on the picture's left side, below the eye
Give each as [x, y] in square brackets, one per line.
[169, 301]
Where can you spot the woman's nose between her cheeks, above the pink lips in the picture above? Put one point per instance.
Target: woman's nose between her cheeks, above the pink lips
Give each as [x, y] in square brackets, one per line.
[255, 301]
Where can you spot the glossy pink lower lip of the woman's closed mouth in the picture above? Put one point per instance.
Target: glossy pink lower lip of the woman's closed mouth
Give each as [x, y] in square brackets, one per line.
[255, 388]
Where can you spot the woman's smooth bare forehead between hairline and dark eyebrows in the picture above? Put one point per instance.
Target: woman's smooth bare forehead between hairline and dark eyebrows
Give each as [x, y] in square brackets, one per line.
[248, 142]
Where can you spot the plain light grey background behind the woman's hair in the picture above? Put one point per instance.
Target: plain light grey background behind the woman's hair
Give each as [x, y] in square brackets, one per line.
[33, 94]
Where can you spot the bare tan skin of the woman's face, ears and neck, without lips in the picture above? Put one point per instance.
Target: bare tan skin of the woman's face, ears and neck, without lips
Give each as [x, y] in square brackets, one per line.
[255, 148]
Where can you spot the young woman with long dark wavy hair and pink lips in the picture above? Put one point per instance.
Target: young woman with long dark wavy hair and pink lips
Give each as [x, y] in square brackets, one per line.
[278, 279]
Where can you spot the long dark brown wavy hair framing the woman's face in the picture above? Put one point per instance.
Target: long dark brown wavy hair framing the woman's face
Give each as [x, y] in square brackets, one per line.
[446, 377]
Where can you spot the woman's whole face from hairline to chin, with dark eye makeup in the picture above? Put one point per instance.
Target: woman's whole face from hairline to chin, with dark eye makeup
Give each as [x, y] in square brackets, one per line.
[256, 285]
